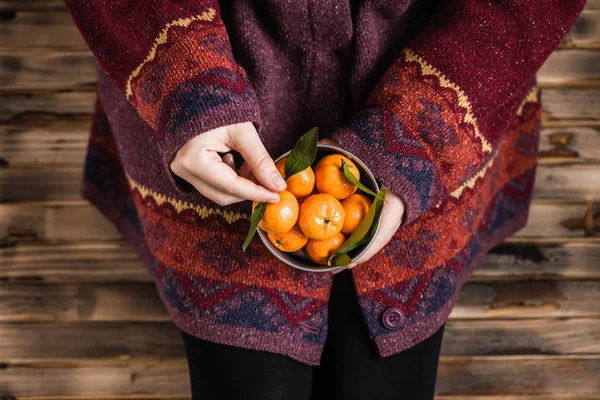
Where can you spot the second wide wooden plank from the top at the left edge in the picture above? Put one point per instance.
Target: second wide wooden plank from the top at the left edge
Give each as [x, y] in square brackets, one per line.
[56, 71]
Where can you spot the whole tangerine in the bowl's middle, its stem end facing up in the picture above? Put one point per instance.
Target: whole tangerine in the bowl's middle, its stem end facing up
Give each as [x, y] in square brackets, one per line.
[321, 216]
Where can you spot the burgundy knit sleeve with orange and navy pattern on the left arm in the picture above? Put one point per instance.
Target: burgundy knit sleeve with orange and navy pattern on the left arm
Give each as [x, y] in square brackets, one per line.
[173, 61]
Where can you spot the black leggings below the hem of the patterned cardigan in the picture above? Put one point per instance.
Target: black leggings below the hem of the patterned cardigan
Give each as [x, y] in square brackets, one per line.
[351, 368]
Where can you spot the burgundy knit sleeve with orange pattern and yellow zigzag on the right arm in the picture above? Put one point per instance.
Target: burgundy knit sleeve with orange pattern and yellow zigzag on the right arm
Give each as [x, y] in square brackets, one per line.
[433, 124]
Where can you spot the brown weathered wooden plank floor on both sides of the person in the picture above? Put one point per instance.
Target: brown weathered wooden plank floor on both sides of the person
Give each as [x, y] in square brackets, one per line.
[79, 317]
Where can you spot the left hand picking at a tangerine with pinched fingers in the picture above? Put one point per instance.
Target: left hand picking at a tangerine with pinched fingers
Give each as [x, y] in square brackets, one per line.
[199, 163]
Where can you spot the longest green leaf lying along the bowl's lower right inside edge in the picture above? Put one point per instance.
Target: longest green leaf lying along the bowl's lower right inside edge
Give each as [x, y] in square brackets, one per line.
[363, 233]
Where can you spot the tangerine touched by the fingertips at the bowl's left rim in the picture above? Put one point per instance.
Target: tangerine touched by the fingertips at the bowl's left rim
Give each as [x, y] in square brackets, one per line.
[279, 217]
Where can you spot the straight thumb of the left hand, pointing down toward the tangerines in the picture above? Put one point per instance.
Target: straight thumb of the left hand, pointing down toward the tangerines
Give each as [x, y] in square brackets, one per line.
[245, 140]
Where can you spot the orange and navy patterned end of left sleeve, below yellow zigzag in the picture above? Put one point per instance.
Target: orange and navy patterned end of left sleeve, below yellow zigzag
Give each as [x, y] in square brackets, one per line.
[190, 84]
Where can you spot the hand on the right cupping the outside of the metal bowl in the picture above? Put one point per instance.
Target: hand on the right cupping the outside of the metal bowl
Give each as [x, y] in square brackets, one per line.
[392, 215]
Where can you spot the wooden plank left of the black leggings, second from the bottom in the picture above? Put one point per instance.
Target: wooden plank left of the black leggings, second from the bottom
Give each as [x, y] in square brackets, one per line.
[99, 343]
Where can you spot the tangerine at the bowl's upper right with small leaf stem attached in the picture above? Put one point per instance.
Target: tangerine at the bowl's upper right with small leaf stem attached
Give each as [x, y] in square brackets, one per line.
[330, 176]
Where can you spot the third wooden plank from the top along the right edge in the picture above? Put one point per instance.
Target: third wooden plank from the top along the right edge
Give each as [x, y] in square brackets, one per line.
[566, 103]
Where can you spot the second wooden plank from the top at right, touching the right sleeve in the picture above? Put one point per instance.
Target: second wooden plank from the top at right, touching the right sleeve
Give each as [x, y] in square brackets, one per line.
[570, 67]
